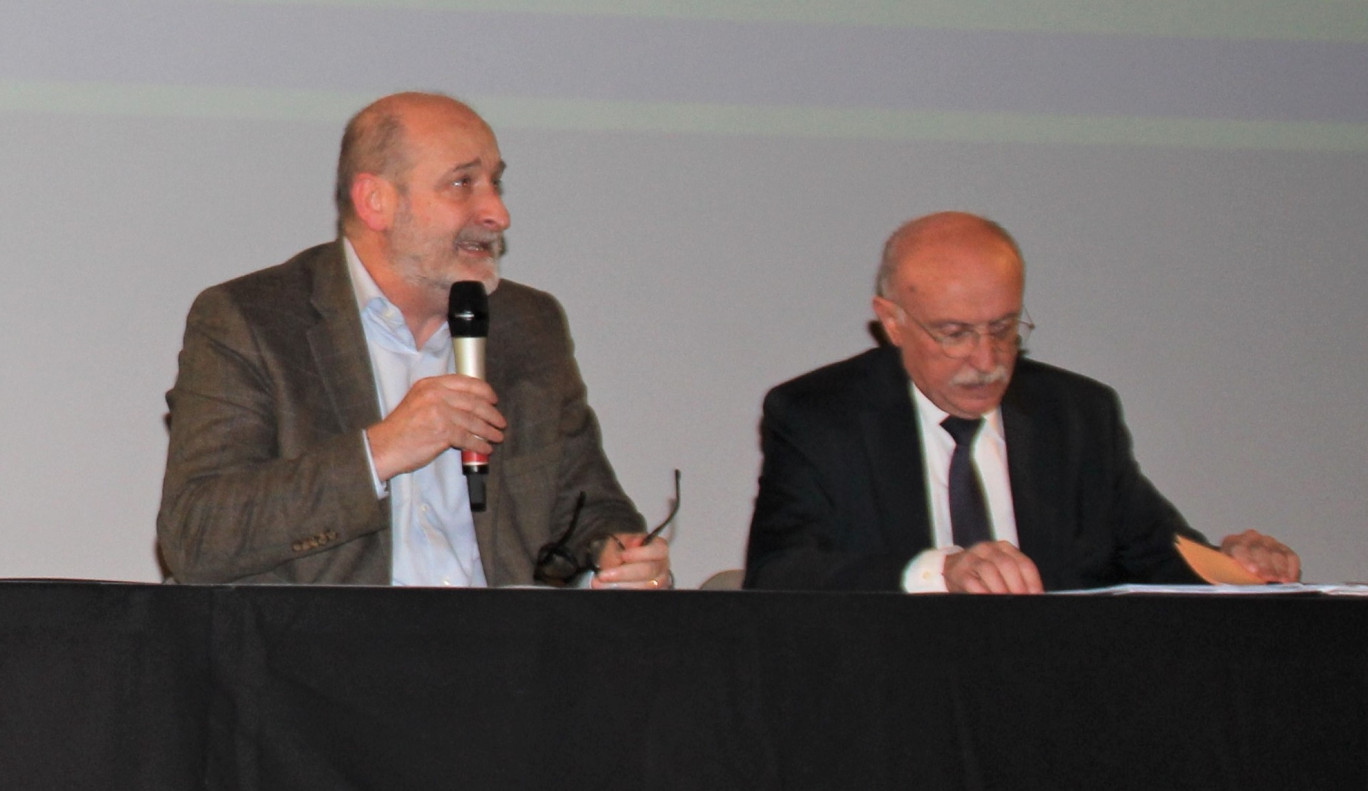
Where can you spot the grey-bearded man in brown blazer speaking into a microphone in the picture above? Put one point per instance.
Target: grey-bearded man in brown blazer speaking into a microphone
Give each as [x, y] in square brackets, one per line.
[317, 421]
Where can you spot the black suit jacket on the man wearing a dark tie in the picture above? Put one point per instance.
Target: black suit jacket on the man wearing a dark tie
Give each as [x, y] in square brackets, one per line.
[843, 497]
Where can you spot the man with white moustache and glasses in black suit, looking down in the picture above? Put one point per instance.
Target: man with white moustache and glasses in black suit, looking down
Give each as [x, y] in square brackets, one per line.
[945, 463]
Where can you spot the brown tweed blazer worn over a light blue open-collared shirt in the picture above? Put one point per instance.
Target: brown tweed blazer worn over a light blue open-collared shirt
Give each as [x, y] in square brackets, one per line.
[267, 478]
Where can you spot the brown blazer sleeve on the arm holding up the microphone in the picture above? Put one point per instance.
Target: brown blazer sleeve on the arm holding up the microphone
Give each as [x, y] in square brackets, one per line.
[262, 485]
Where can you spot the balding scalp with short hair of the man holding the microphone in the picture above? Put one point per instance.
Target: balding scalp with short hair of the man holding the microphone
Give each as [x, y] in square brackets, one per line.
[378, 140]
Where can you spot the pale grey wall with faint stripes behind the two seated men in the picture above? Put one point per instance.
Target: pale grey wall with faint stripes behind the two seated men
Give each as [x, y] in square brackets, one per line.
[708, 194]
